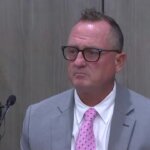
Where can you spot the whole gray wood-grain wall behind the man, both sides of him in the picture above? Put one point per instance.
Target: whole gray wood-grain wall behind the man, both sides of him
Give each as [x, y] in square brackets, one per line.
[31, 62]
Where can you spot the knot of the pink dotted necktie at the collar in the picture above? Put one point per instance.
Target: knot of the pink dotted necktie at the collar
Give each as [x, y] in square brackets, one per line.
[90, 114]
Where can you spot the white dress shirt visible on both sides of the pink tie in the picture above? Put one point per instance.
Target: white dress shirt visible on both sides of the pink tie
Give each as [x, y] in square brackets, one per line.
[102, 122]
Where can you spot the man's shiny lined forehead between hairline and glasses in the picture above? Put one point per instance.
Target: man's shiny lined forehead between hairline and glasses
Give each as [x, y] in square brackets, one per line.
[92, 32]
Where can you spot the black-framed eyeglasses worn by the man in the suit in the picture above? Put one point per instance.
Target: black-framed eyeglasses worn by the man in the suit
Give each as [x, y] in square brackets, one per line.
[90, 54]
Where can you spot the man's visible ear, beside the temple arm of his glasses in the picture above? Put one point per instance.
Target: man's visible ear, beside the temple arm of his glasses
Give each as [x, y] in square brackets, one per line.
[120, 61]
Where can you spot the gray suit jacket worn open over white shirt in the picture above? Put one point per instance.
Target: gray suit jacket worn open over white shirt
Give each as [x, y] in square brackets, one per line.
[48, 124]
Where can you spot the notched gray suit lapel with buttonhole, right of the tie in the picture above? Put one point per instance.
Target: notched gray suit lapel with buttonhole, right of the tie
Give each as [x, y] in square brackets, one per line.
[123, 121]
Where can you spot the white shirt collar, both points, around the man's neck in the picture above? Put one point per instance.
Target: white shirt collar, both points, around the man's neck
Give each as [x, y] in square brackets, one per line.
[104, 108]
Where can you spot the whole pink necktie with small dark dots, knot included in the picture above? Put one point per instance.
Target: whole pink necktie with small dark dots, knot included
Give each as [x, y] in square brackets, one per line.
[86, 139]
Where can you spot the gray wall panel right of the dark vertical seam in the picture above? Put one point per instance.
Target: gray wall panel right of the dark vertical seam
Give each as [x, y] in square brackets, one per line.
[133, 17]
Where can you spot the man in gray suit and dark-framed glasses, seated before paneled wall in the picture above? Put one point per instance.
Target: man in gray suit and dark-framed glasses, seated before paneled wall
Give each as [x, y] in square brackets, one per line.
[119, 117]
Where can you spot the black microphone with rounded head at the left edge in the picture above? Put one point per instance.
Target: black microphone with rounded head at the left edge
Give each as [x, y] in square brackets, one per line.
[3, 109]
